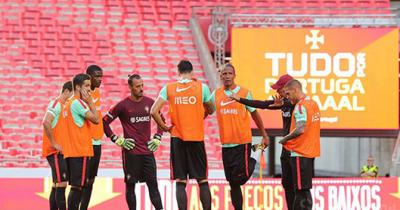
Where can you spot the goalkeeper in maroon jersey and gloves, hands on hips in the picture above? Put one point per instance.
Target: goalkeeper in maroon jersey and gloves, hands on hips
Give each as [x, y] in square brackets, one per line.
[137, 147]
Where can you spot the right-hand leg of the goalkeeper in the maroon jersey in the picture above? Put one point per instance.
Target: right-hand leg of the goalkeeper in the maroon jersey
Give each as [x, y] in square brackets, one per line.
[149, 172]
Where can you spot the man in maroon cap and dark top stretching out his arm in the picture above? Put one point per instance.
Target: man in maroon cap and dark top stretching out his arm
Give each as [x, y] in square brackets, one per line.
[286, 107]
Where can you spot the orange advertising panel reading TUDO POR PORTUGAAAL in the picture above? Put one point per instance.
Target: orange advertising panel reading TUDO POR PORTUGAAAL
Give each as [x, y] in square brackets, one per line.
[351, 73]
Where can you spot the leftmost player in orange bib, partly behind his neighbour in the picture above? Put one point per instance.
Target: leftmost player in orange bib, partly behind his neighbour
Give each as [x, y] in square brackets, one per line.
[54, 131]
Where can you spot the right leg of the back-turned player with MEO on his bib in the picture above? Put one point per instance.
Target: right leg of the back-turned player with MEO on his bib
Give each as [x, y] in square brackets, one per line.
[198, 169]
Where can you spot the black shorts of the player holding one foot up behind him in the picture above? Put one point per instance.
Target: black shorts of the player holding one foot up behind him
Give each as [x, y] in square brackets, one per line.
[238, 165]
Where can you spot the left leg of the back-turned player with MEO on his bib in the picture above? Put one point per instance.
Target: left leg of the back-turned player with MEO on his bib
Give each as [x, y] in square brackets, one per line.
[179, 170]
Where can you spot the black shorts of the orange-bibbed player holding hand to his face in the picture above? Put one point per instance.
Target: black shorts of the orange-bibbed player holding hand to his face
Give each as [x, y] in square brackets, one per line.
[78, 170]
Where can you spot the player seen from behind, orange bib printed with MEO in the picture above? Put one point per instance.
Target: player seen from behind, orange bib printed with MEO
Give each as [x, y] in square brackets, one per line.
[189, 103]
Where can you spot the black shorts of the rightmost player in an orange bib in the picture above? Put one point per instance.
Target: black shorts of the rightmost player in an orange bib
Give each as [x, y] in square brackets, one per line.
[302, 170]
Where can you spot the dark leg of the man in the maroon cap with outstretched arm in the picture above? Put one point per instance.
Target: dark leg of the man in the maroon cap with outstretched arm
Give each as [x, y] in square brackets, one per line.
[287, 178]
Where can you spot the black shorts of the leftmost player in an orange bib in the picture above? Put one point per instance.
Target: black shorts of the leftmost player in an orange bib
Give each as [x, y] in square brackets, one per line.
[58, 165]
